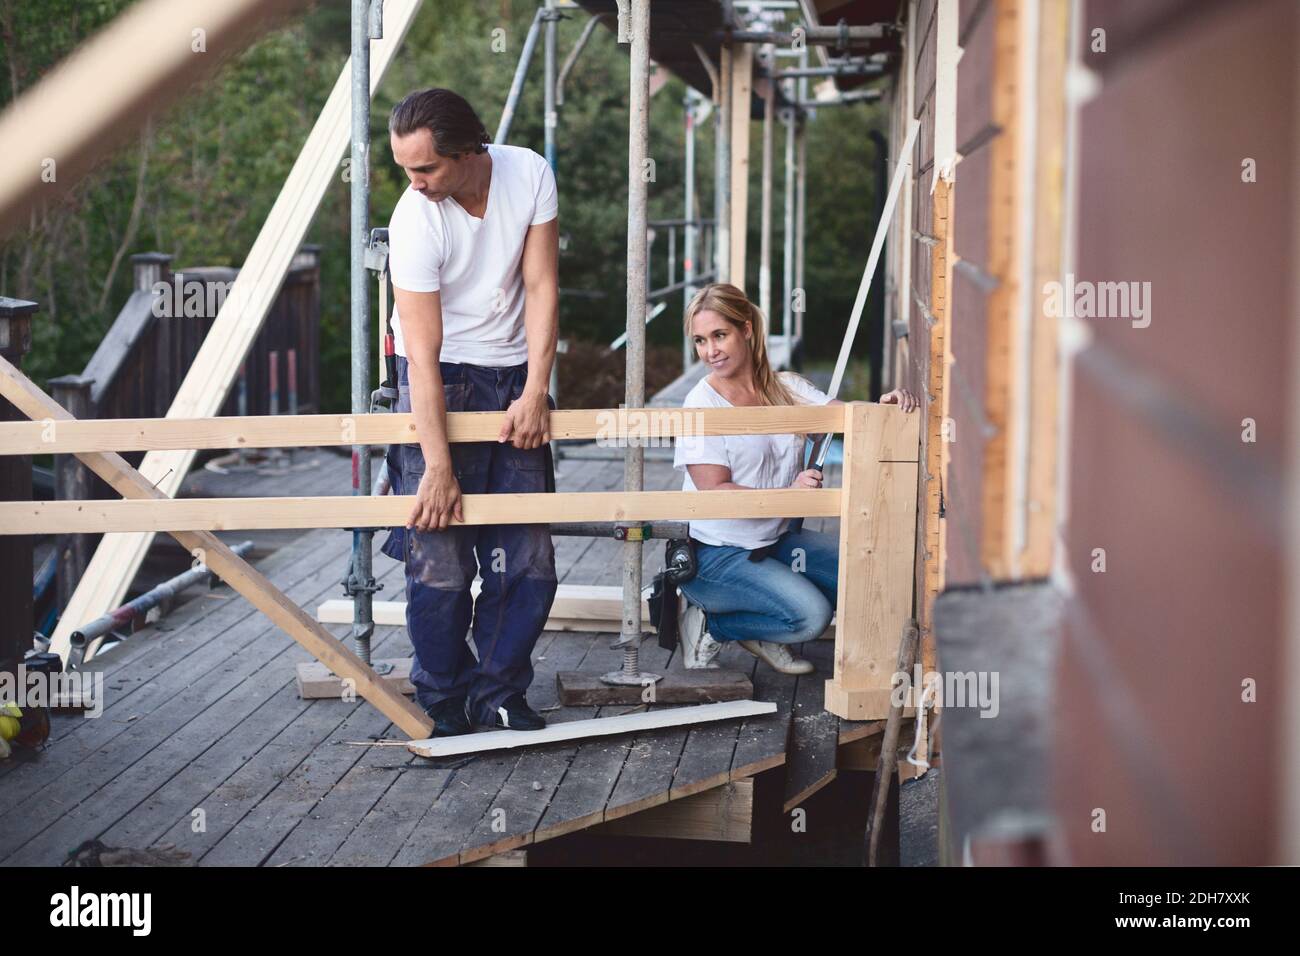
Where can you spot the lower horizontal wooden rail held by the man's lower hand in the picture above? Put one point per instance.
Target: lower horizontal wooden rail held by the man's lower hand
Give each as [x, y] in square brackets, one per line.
[363, 512]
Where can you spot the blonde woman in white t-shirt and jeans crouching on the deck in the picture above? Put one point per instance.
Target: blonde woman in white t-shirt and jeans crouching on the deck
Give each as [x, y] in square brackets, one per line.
[760, 582]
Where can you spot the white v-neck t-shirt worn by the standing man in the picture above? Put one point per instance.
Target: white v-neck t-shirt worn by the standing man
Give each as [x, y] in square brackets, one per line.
[475, 263]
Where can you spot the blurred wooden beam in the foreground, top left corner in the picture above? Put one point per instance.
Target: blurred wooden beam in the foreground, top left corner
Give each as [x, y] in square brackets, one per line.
[110, 86]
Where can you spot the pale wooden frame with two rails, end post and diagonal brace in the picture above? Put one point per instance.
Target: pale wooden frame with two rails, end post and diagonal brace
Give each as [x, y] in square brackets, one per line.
[877, 508]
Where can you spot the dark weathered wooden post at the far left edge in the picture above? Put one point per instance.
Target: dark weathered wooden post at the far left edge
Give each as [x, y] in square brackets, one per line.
[16, 596]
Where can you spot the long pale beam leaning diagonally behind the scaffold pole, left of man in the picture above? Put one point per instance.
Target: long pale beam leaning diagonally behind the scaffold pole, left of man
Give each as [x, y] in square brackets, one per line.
[241, 318]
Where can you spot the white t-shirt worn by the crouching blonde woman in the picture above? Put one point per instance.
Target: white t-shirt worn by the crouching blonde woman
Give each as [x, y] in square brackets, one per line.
[756, 461]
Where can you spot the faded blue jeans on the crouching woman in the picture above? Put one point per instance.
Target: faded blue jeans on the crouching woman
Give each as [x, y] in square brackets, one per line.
[788, 598]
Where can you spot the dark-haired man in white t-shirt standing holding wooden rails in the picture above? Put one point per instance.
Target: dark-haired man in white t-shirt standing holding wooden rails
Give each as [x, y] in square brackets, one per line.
[474, 258]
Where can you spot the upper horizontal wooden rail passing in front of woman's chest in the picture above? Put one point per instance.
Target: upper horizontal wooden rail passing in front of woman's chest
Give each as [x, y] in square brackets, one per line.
[293, 431]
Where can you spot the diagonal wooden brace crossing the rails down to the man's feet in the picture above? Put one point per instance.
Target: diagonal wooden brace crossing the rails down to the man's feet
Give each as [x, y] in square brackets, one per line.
[227, 565]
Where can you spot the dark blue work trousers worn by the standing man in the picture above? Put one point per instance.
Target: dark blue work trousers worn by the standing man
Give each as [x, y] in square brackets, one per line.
[517, 561]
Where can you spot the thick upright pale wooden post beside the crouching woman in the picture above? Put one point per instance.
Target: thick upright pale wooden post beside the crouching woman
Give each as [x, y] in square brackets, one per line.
[878, 540]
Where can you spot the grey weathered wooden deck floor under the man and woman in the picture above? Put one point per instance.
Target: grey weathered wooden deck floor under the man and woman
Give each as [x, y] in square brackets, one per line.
[279, 788]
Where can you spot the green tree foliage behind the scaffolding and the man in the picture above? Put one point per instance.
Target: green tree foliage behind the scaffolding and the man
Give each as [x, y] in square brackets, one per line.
[201, 180]
